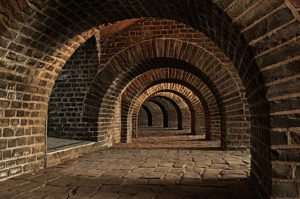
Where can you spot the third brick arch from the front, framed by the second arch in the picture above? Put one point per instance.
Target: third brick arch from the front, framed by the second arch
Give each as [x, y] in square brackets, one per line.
[144, 81]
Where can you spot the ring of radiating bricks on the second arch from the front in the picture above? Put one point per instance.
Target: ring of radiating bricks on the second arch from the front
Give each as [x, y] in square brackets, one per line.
[136, 56]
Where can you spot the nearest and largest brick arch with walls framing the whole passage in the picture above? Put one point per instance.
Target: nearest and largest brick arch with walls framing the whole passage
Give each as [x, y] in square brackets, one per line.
[37, 39]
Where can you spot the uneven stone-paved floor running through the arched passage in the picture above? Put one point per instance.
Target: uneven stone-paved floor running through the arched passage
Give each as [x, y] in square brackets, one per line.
[154, 172]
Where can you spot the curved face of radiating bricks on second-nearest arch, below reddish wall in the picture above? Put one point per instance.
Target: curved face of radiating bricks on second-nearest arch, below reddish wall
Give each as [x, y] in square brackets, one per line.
[132, 55]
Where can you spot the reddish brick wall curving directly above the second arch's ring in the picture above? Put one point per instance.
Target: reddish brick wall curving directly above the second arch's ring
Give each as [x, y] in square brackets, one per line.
[143, 30]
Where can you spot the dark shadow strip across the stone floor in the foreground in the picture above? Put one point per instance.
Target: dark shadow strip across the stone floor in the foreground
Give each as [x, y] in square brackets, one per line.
[106, 187]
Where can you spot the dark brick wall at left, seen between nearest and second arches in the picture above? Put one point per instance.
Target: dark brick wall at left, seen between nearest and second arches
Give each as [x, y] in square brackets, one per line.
[68, 94]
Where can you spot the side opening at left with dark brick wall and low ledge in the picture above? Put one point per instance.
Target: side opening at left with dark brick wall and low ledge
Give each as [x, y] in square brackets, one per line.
[65, 104]
